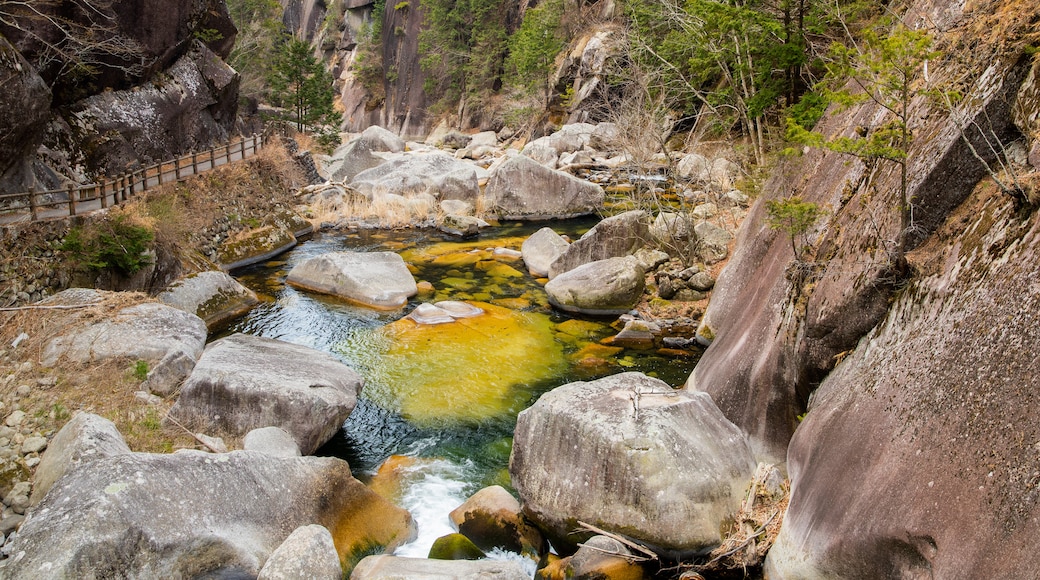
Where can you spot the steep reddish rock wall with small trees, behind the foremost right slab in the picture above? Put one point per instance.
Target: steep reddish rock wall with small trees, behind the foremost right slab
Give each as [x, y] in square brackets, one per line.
[778, 327]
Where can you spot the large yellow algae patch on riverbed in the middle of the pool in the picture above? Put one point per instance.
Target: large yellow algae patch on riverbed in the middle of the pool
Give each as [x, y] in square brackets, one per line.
[463, 372]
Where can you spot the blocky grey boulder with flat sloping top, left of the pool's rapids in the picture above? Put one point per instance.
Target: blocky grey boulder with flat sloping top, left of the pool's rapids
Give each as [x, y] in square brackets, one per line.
[243, 383]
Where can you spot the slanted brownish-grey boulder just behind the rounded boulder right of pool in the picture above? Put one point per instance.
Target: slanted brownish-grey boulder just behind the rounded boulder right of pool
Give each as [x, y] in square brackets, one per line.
[616, 236]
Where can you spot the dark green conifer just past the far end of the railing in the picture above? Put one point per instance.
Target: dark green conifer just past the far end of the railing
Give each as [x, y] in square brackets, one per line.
[301, 84]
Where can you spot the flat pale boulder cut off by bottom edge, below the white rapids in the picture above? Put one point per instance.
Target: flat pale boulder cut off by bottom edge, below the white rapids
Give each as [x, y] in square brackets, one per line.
[396, 568]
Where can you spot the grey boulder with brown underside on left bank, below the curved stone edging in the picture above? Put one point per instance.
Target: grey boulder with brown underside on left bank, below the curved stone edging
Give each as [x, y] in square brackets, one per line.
[215, 297]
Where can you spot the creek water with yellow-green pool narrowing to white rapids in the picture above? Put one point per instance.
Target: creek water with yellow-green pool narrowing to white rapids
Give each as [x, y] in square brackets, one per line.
[435, 420]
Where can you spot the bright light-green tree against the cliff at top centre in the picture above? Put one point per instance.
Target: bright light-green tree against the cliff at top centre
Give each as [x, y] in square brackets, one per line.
[535, 46]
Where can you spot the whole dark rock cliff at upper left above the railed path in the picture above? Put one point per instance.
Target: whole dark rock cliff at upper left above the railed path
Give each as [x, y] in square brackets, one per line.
[102, 55]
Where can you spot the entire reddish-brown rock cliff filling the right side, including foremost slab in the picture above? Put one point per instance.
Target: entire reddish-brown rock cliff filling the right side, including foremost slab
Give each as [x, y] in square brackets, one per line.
[918, 457]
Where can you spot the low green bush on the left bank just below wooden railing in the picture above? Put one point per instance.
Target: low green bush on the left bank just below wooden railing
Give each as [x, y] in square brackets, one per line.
[113, 244]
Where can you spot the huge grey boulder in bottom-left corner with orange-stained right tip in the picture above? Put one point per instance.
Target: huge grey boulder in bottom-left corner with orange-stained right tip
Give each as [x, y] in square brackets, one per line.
[192, 515]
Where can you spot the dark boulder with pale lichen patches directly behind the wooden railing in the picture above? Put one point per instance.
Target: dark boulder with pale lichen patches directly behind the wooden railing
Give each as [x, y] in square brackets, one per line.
[193, 107]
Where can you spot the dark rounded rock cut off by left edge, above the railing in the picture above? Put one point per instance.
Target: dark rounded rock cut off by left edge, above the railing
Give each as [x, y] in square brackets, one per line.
[21, 90]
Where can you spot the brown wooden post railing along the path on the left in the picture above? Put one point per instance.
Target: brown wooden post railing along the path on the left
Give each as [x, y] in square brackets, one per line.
[85, 199]
